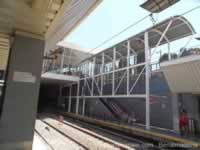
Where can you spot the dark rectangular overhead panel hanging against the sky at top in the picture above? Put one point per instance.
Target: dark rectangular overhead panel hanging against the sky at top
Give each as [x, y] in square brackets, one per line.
[156, 6]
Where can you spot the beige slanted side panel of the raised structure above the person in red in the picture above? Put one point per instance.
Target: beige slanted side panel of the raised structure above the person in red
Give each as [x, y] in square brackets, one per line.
[182, 74]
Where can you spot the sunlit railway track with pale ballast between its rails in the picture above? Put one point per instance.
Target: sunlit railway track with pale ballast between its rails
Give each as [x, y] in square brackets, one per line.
[87, 144]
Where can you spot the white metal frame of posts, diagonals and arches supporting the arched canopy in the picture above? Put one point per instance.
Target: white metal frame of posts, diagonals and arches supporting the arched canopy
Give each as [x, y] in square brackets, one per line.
[126, 74]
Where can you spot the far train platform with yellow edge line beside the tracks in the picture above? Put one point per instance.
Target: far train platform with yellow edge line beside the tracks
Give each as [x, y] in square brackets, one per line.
[157, 135]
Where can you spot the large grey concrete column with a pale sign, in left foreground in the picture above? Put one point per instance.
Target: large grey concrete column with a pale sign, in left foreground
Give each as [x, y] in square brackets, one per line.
[21, 94]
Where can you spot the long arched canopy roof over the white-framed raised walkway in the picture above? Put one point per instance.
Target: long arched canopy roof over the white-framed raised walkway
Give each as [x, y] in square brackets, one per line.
[179, 28]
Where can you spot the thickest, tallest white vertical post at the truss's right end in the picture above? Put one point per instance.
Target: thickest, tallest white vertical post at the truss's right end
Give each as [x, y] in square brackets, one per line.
[147, 75]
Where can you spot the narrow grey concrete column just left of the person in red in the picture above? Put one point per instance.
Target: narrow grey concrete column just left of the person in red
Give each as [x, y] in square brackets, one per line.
[175, 114]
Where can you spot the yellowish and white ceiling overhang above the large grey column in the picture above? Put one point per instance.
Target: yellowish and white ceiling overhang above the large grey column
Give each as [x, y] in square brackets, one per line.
[49, 19]
